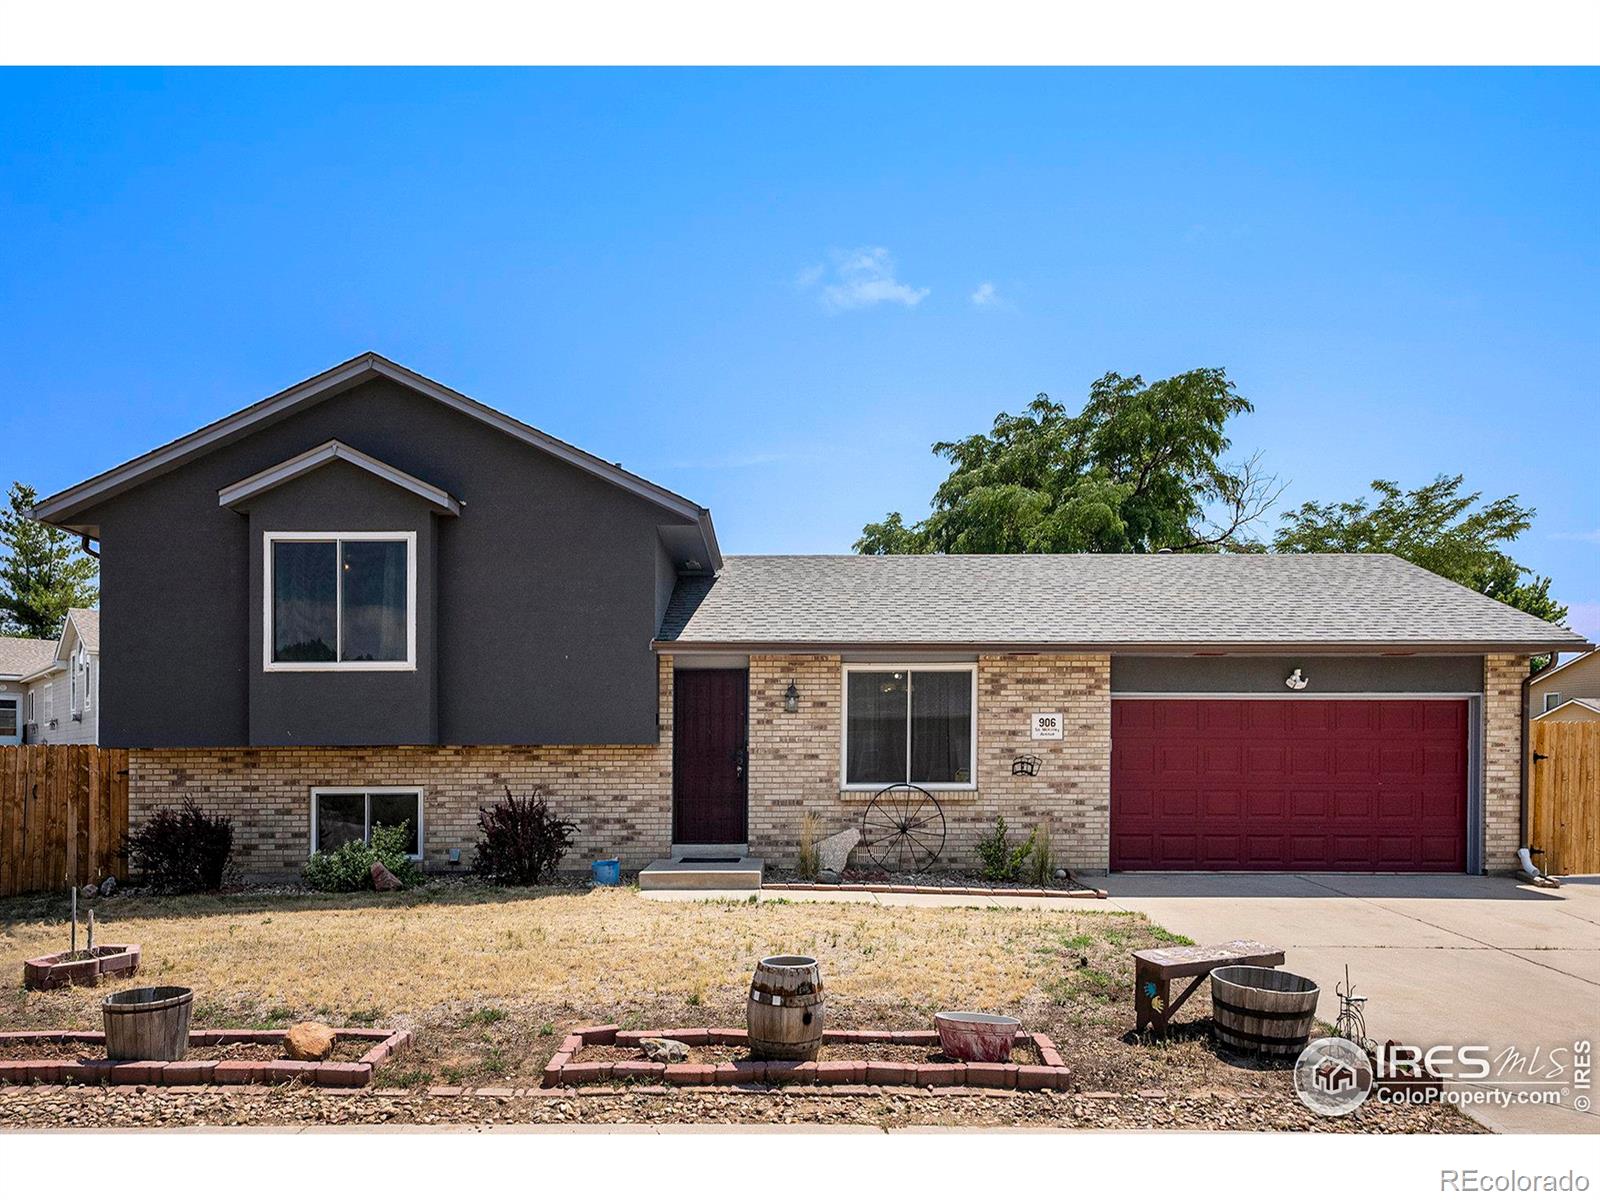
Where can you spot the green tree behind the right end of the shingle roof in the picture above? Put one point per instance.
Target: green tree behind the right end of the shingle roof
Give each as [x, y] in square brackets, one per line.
[1434, 527]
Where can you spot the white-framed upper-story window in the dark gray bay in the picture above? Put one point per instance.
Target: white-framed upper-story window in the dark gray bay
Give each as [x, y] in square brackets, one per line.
[340, 602]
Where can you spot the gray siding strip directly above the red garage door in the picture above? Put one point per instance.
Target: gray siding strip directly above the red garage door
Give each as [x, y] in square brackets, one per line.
[1329, 676]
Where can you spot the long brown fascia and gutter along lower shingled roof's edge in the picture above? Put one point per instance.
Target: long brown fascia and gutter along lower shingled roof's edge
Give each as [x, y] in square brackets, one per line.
[1255, 649]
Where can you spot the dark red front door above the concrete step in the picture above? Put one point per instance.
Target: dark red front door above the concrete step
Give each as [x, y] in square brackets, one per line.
[710, 721]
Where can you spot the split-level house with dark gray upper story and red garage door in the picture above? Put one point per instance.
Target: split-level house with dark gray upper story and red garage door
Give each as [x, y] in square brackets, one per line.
[370, 599]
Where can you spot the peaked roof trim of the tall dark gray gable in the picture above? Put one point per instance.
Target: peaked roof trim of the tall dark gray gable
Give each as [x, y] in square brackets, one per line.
[68, 505]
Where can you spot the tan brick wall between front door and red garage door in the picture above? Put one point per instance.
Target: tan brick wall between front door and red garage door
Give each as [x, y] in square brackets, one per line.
[796, 758]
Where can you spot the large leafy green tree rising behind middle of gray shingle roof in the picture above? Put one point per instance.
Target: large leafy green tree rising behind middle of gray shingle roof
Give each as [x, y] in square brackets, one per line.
[1138, 470]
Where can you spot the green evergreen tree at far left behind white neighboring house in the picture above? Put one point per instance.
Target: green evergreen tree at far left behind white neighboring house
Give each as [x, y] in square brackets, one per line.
[42, 572]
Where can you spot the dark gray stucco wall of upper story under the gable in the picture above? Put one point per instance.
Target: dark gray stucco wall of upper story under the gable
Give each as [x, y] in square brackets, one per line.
[545, 593]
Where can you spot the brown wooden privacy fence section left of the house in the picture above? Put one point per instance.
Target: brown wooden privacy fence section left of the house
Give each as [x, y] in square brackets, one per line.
[63, 817]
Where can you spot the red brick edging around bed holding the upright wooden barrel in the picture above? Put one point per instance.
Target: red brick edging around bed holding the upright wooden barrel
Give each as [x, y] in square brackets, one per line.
[561, 1071]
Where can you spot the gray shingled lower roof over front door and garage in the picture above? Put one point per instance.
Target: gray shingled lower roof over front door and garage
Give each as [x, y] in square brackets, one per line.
[1164, 602]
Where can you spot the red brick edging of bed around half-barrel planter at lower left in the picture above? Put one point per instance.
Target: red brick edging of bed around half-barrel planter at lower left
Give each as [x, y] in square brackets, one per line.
[226, 1057]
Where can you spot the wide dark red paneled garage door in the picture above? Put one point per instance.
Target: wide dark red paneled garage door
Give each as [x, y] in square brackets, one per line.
[1289, 785]
